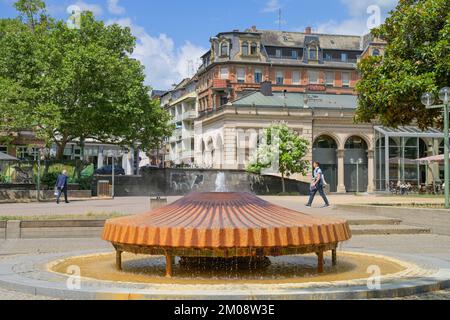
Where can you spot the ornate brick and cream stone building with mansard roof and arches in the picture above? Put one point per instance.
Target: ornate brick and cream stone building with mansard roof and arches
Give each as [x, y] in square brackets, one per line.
[251, 79]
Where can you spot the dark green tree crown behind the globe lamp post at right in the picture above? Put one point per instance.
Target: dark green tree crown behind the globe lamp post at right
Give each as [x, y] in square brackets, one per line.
[417, 60]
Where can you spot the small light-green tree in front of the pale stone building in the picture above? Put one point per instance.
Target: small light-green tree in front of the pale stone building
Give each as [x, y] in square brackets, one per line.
[281, 149]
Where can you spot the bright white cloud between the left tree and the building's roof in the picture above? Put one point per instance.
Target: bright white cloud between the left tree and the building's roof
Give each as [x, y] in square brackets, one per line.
[165, 64]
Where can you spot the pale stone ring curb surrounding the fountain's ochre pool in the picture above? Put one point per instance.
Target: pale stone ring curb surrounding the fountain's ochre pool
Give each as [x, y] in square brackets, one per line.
[27, 274]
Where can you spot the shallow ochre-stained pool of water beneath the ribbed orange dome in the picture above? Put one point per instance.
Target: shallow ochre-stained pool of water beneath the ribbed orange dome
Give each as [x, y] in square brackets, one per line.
[282, 270]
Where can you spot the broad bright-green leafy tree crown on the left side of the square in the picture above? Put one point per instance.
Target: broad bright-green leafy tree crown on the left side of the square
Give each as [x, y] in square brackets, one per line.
[75, 84]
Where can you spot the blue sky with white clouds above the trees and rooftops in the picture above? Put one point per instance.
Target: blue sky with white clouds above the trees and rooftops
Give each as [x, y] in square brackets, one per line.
[172, 34]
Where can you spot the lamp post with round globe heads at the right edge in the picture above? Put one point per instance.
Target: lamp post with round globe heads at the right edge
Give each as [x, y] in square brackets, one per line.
[428, 101]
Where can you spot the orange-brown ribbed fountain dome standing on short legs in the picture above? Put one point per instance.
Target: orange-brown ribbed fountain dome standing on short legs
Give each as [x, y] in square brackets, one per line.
[225, 225]
